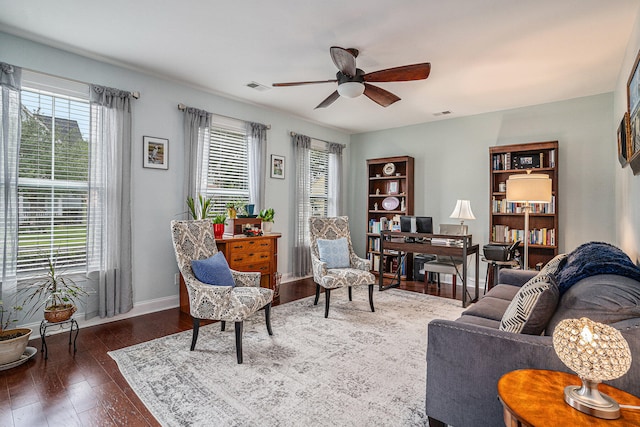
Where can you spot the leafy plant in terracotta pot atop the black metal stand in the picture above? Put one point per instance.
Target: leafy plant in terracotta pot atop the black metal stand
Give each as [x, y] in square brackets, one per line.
[56, 293]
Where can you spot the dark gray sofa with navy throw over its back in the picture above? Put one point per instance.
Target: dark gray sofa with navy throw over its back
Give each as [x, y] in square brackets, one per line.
[467, 357]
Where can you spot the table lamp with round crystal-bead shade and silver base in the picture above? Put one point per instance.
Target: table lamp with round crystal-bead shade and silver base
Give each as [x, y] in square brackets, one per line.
[597, 353]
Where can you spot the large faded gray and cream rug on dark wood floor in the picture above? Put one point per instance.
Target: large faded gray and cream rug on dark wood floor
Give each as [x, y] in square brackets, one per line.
[355, 368]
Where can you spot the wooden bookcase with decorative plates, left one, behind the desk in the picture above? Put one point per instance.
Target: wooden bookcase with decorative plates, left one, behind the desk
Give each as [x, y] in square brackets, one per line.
[386, 188]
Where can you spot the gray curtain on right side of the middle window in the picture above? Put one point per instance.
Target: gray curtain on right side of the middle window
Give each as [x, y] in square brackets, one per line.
[257, 148]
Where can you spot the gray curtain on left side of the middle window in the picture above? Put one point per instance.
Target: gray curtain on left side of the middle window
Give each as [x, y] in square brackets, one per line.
[196, 155]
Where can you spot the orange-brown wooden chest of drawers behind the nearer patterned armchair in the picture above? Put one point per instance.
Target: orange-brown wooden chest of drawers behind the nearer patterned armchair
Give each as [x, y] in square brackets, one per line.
[246, 254]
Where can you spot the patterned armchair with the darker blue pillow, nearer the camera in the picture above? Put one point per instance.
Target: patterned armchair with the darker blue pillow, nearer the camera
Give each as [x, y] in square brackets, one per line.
[193, 240]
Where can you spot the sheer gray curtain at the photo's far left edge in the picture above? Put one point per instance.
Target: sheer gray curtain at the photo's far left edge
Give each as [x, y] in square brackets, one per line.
[10, 82]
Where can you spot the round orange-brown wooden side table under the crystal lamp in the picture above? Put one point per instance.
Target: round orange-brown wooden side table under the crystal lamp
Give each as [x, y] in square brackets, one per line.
[534, 397]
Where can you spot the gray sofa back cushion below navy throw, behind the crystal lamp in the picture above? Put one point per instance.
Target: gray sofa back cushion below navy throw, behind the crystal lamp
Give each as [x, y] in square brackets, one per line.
[605, 298]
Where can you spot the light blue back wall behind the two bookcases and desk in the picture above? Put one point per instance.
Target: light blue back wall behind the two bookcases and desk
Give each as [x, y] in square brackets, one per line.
[452, 162]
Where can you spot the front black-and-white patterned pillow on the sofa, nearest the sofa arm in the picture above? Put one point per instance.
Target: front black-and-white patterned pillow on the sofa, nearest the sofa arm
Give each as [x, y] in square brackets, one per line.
[532, 307]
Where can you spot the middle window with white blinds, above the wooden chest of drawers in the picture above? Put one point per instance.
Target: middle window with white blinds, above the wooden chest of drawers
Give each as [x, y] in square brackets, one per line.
[227, 166]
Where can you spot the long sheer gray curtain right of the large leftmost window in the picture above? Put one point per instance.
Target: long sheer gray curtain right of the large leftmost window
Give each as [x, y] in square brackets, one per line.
[109, 263]
